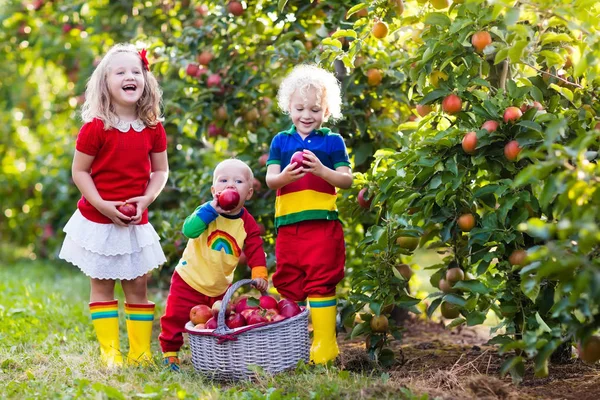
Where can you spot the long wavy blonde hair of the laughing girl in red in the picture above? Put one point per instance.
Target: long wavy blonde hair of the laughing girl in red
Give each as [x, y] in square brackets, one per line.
[97, 97]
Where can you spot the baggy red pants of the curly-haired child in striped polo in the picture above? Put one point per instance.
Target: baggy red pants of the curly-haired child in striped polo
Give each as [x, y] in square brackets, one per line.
[310, 259]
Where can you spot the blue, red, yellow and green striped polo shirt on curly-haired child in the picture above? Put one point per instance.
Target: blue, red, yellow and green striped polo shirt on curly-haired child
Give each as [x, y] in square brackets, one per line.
[311, 197]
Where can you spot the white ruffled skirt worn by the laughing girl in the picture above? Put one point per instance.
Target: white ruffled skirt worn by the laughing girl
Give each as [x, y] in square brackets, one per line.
[109, 251]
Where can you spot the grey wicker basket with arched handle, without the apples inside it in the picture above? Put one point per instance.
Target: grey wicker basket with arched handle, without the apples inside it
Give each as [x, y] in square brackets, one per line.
[226, 354]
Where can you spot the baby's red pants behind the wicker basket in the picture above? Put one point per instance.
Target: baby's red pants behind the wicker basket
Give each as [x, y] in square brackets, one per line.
[182, 297]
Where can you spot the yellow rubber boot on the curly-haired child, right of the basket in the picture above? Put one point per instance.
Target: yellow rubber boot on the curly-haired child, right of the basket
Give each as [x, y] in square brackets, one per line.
[323, 312]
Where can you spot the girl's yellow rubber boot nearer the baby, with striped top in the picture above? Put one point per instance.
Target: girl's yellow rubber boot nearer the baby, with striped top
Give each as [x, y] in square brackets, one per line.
[139, 319]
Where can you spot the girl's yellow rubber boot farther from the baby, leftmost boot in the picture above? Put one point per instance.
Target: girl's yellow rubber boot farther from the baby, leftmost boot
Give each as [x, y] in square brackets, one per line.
[105, 318]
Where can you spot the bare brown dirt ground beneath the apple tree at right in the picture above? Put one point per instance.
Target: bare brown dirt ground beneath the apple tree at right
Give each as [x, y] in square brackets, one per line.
[456, 364]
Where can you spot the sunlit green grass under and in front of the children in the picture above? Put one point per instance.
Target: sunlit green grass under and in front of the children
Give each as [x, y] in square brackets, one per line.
[48, 350]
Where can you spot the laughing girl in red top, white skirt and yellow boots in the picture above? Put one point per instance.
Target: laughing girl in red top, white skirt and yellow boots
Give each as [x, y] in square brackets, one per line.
[120, 158]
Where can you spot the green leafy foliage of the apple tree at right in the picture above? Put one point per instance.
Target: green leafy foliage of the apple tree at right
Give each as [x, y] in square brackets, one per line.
[545, 202]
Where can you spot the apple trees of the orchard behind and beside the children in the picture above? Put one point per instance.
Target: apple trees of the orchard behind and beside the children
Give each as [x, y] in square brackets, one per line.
[510, 208]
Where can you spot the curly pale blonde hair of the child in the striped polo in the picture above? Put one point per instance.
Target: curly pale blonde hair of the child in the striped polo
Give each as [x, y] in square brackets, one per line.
[305, 76]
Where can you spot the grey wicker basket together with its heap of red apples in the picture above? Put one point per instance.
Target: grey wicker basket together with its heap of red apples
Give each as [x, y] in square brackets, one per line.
[233, 336]
